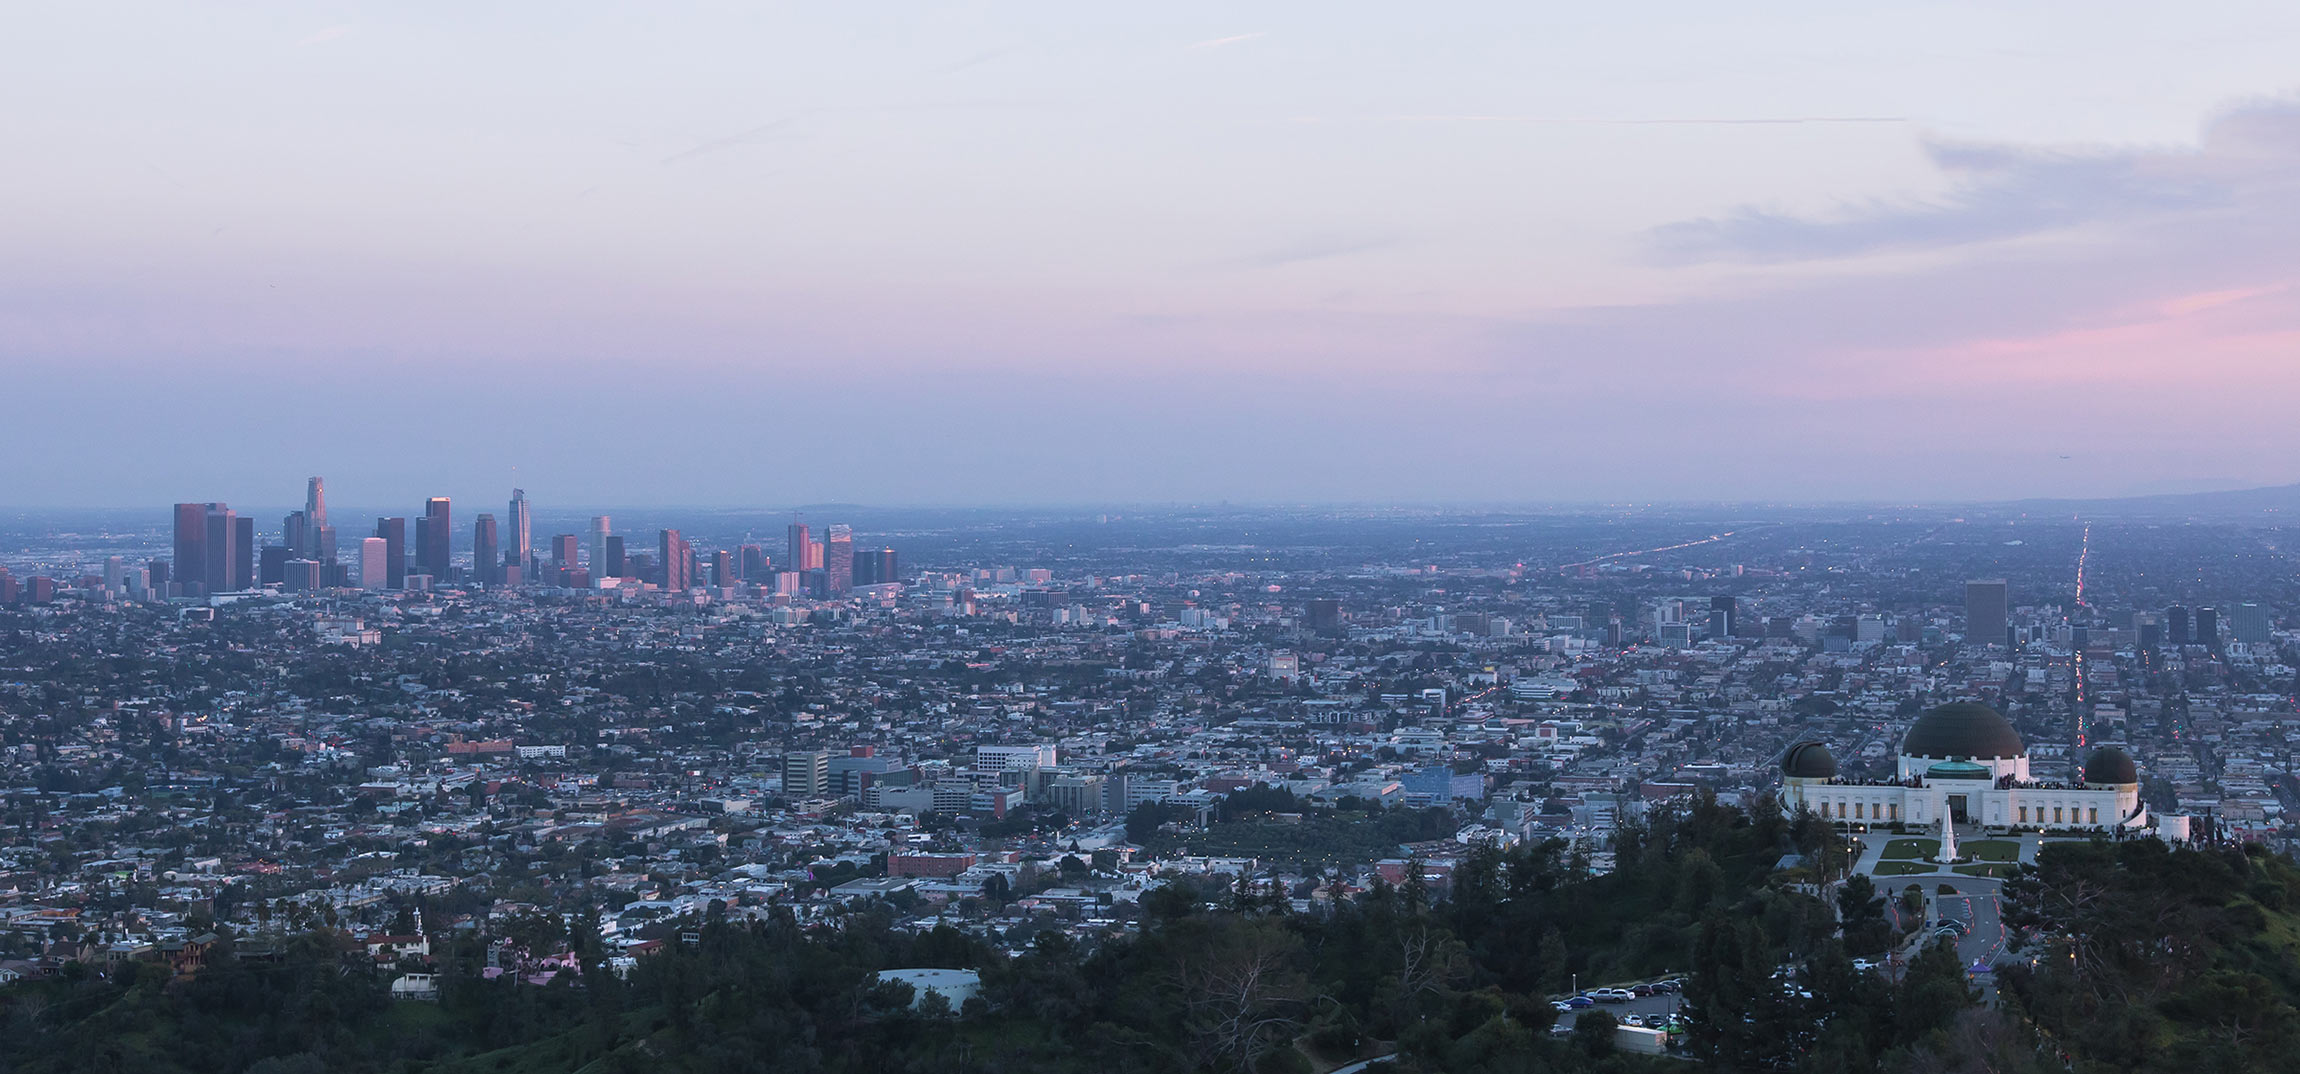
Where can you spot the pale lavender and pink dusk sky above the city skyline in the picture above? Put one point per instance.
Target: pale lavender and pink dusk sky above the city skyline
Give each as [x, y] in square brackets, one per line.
[1112, 254]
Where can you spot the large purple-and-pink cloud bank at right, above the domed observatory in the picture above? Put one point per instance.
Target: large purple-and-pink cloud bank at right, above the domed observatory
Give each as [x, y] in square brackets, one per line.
[2140, 279]
